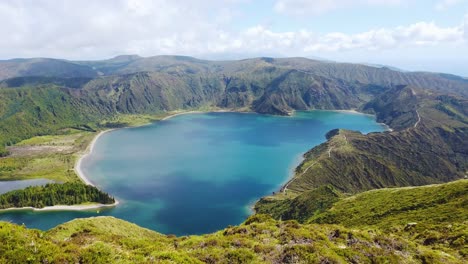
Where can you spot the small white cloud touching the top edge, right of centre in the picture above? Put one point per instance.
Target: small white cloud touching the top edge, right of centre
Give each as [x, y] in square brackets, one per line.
[305, 7]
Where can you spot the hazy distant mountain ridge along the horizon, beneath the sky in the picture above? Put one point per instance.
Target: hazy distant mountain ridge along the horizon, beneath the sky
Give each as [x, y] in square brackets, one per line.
[127, 64]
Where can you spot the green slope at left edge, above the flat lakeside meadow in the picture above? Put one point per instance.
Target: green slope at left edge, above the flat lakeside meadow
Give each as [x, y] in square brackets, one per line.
[30, 111]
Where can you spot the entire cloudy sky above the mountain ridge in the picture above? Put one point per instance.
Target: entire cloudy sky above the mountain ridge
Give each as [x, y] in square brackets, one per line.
[411, 34]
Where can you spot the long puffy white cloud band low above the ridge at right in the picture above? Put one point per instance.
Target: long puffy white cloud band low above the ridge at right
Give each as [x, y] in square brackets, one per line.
[261, 39]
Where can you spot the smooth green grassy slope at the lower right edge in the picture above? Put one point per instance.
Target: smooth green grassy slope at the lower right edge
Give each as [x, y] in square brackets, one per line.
[434, 215]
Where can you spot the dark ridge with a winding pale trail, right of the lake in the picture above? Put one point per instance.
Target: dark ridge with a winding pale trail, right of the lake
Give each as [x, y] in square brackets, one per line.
[426, 148]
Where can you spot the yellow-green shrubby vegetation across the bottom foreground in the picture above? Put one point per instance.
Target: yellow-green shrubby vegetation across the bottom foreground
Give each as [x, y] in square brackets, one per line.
[259, 240]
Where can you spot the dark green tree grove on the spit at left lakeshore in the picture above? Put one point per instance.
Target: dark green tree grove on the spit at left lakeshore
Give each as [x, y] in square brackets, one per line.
[54, 194]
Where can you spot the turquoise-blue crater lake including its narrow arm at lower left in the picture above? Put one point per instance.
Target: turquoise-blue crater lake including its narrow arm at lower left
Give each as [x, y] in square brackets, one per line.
[198, 173]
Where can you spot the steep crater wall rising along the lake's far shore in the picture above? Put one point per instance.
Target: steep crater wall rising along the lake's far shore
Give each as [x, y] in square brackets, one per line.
[40, 105]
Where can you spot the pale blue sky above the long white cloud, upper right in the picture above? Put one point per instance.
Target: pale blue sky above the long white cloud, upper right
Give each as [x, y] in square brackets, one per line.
[349, 16]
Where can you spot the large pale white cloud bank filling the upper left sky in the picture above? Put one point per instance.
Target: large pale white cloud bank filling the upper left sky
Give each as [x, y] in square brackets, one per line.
[101, 28]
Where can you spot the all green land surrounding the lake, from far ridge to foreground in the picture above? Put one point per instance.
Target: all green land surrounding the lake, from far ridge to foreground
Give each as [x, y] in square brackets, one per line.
[51, 109]
